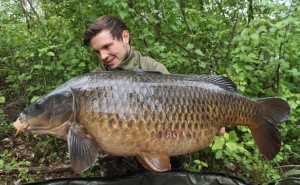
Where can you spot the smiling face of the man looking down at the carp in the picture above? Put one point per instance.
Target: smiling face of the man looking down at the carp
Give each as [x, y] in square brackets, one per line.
[110, 50]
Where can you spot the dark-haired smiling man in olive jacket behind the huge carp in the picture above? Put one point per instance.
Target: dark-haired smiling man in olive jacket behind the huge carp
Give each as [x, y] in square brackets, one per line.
[110, 39]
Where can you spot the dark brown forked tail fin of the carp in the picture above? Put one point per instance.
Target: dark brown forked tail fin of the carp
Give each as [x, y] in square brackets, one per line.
[266, 135]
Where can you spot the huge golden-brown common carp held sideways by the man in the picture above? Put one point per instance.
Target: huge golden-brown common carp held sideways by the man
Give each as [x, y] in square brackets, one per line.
[149, 115]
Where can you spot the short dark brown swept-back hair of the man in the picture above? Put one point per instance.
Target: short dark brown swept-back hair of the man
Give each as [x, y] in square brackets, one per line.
[113, 24]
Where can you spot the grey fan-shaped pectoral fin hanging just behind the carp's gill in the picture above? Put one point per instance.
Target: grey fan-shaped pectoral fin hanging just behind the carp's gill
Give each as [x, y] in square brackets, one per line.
[83, 150]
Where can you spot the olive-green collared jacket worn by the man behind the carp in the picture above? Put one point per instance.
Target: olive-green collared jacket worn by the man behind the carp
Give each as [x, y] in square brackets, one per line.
[136, 61]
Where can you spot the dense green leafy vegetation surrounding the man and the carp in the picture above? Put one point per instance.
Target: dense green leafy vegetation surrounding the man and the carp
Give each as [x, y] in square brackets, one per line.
[255, 43]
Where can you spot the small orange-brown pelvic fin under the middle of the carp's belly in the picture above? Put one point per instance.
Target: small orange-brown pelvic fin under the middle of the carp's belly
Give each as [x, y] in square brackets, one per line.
[154, 162]
